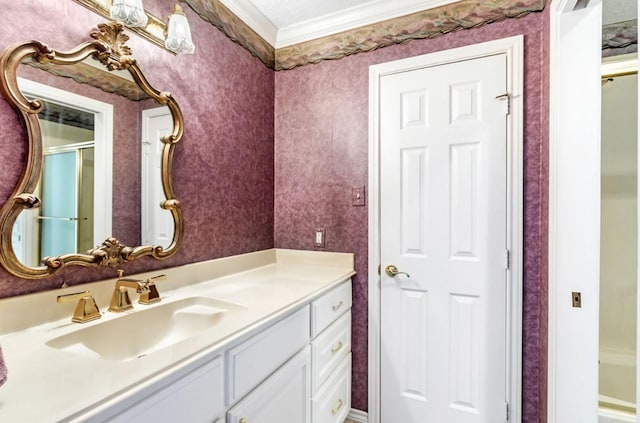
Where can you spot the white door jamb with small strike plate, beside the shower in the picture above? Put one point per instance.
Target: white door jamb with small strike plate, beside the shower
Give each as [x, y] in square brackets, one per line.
[574, 209]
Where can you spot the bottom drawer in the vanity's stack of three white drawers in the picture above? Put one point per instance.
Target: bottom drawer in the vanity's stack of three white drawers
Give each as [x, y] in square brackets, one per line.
[333, 401]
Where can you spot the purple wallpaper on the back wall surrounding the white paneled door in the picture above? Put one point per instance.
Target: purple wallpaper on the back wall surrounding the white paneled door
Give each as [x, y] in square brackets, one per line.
[321, 142]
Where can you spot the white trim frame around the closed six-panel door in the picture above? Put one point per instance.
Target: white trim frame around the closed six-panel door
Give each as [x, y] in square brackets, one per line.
[513, 47]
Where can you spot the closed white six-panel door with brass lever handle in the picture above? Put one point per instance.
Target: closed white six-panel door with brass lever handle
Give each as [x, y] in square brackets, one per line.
[443, 222]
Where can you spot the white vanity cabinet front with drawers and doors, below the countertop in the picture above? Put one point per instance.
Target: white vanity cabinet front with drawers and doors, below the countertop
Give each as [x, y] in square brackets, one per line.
[296, 370]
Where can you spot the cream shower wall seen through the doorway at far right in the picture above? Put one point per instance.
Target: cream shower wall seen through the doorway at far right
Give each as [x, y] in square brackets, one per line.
[618, 238]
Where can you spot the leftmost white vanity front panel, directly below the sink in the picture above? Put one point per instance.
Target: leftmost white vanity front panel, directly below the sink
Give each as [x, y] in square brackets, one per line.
[197, 397]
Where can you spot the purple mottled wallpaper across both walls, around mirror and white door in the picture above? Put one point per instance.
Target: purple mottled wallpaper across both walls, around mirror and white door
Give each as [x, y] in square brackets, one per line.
[318, 117]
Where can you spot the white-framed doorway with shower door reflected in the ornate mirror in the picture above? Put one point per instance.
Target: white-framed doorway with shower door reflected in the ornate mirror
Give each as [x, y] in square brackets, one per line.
[75, 187]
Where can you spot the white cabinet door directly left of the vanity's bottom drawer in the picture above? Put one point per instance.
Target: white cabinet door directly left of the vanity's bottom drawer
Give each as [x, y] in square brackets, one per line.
[283, 398]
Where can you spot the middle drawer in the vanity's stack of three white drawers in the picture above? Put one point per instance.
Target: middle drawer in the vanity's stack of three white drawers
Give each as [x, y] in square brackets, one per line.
[329, 349]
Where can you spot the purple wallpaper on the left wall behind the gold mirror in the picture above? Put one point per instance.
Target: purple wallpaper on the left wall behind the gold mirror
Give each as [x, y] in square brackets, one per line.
[224, 163]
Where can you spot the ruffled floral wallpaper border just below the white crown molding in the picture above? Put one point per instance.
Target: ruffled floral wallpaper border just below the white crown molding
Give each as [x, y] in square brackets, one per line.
[430, 23]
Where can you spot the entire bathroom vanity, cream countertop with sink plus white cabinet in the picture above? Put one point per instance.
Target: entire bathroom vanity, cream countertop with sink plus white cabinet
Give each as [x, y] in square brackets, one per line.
[262, 336]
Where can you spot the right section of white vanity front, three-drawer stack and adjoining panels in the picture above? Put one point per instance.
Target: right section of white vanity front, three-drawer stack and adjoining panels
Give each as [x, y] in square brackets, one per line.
[313, 386]
